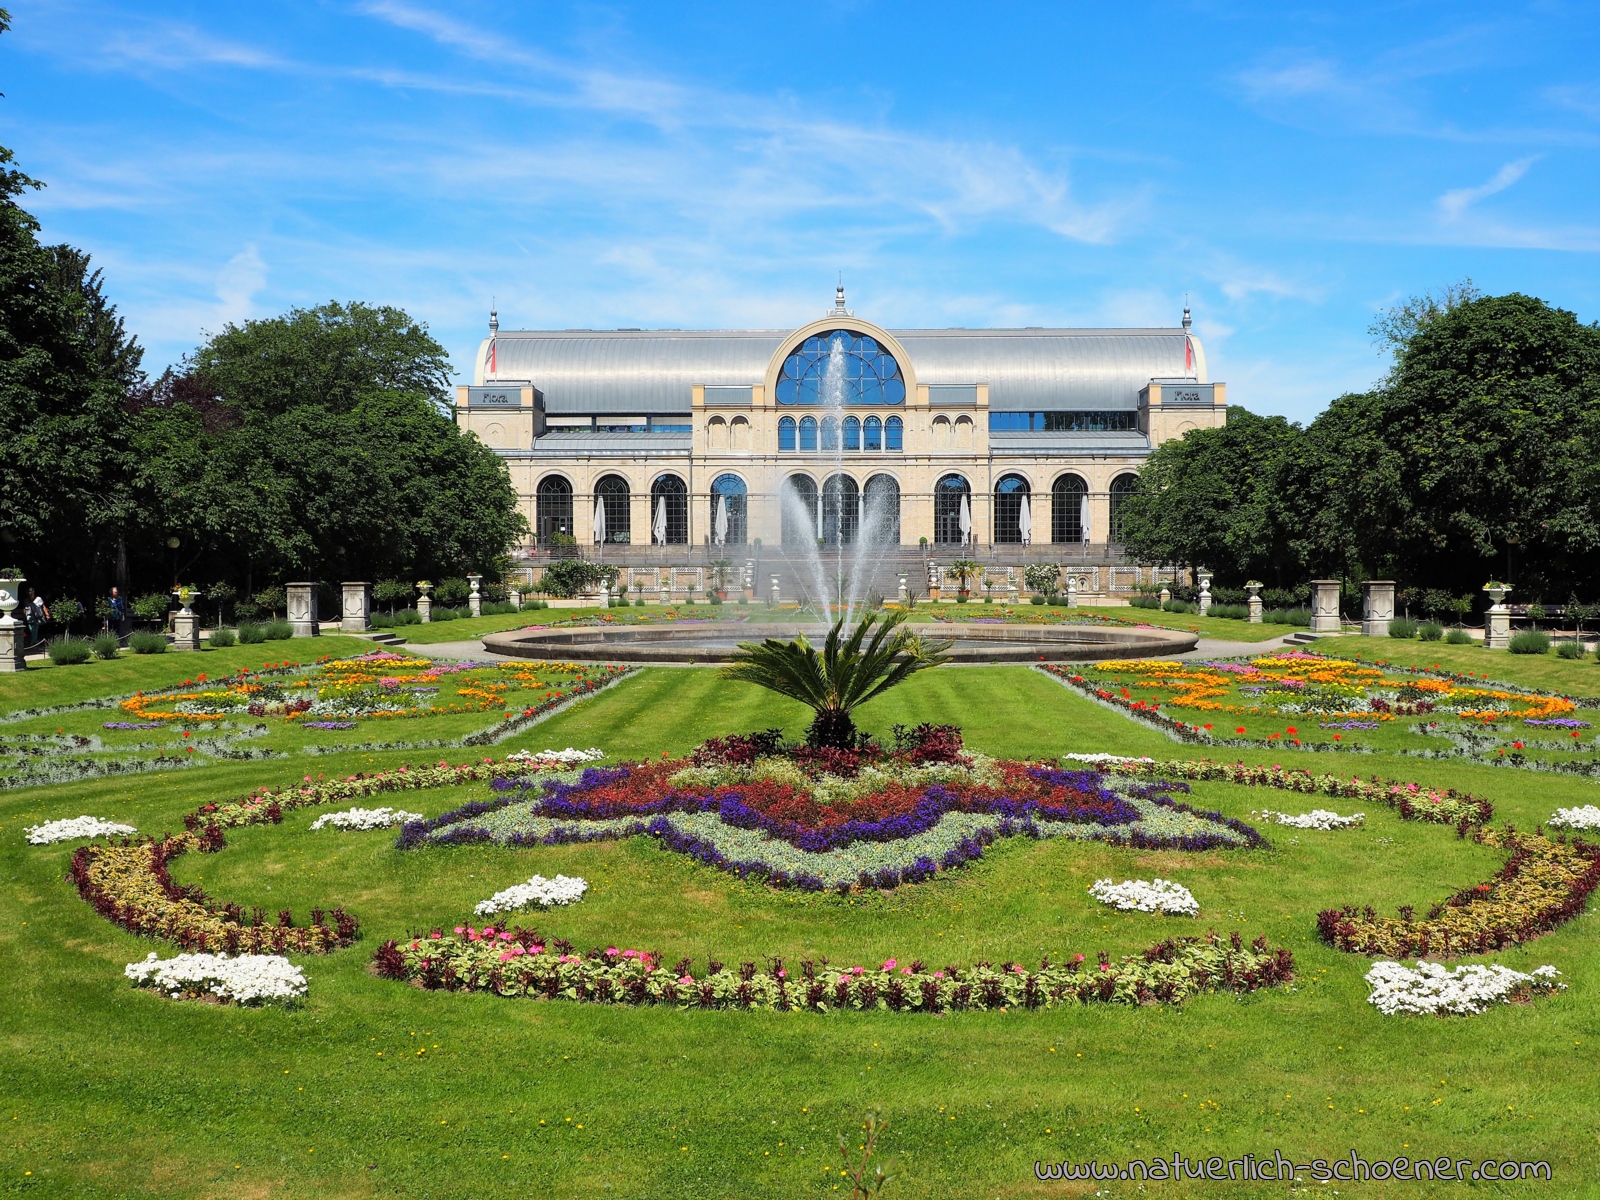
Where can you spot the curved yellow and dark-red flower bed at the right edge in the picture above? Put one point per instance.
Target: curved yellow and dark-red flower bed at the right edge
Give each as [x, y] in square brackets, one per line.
[1543, 884]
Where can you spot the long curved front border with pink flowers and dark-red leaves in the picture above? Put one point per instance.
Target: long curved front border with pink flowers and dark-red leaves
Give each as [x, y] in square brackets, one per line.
[522, 964]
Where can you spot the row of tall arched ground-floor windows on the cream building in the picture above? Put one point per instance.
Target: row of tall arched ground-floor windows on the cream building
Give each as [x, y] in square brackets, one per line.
[841, 513]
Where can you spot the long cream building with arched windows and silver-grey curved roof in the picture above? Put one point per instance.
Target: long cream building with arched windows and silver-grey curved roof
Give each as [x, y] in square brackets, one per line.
[684, 438]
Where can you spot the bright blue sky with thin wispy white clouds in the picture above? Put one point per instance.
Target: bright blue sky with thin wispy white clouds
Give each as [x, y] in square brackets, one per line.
[1290, 169]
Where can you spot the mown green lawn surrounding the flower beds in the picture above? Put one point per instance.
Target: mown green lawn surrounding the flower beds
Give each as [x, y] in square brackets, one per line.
[116, 1094]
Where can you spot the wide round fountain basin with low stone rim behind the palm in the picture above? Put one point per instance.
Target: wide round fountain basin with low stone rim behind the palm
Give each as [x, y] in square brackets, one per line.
[719, 641]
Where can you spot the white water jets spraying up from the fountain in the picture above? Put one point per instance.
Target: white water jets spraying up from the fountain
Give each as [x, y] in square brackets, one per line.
[841, 526]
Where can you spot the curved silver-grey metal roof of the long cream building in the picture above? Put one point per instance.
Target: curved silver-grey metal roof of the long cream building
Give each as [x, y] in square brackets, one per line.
[652, 372]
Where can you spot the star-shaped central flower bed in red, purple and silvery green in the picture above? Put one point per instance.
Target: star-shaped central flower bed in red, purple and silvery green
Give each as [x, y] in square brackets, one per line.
[820, 820]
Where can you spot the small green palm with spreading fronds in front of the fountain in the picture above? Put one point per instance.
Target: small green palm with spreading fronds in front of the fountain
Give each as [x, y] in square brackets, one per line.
[844, 676]
